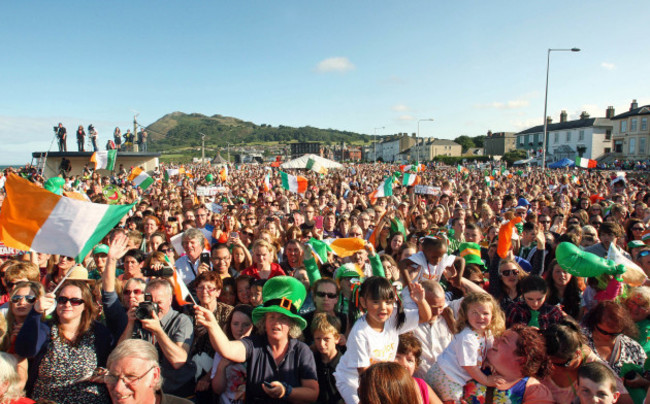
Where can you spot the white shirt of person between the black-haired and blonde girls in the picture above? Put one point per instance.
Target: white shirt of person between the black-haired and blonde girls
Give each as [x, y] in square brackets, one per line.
[435, 337]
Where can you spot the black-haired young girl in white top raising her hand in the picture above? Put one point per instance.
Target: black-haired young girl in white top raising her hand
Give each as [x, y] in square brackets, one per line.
[375, 336]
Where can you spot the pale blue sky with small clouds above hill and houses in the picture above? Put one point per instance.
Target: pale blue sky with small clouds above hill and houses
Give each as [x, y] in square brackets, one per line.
[351, 65]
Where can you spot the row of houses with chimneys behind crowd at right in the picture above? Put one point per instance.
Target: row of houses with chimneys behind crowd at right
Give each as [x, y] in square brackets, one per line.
[625, 136]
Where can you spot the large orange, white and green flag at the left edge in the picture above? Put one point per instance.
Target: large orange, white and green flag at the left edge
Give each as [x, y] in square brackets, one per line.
[37, 219]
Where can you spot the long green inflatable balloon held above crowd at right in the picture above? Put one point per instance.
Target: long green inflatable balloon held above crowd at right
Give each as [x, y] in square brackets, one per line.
[581, 263]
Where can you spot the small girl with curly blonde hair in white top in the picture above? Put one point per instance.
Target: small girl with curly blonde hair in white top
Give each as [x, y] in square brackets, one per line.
[479, 320]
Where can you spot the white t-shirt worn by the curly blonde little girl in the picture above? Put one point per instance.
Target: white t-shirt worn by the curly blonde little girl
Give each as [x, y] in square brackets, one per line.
[467, 349]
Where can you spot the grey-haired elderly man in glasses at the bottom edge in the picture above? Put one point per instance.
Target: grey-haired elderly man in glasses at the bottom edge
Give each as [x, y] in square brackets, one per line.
[134, 375]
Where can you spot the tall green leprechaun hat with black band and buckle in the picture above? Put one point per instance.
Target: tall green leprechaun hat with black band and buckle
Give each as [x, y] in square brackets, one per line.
[284, 295]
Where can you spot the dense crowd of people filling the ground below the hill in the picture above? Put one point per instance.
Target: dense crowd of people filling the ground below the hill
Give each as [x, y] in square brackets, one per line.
[229, 288]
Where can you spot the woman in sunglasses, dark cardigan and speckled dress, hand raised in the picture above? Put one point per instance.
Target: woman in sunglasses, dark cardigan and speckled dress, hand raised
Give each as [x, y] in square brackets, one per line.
[65, 352]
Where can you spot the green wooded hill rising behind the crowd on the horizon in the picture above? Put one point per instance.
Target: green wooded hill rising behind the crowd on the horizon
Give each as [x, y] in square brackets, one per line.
[179, 130]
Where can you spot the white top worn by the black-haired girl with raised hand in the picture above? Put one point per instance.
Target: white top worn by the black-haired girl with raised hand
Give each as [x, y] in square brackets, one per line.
[366, 346]
